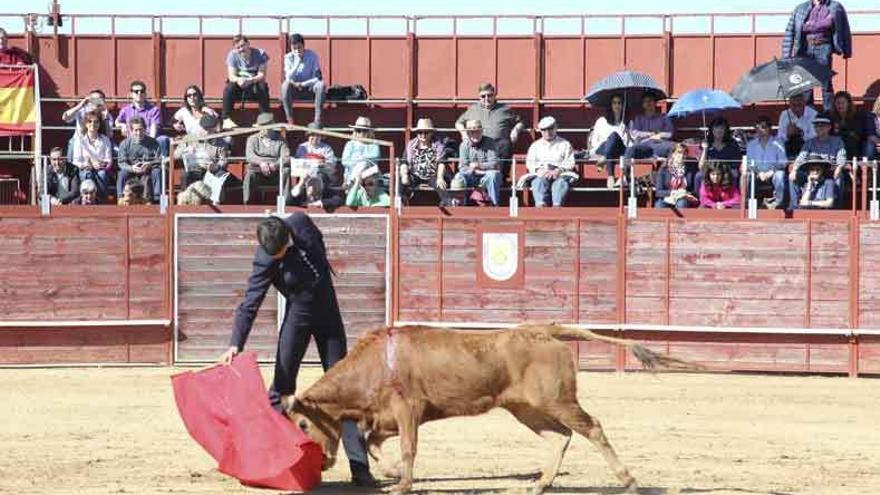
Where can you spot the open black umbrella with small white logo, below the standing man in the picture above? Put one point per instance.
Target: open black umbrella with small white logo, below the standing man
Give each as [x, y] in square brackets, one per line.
[780, 79]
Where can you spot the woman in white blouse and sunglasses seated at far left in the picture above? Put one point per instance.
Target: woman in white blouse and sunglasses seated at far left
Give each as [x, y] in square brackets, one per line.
[93, 153]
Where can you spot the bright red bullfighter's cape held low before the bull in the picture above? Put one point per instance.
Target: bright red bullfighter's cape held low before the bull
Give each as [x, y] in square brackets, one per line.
[225, 409]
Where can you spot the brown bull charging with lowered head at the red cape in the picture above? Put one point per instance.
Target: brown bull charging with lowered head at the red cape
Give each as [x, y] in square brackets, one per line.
[396, 379]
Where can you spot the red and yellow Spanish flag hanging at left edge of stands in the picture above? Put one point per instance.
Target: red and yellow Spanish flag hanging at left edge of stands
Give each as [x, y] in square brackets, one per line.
[17, 104]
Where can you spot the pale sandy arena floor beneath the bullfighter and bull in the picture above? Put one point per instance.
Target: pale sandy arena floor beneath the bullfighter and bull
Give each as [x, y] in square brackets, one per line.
[91, 431]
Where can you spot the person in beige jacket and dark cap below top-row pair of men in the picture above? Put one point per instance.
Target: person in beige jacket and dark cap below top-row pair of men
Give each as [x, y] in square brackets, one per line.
[267, 155]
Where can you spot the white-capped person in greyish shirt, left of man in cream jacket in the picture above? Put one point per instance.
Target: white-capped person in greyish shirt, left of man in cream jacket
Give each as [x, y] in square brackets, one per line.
[478, 164]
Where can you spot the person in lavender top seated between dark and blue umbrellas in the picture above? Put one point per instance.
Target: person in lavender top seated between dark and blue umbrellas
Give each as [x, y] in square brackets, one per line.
[651, 134]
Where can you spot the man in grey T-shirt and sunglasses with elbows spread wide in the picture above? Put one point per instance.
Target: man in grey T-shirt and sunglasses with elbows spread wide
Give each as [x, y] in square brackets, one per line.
[500, 123]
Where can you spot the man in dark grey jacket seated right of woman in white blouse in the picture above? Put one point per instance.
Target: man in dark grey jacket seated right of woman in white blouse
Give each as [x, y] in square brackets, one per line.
[139, 158]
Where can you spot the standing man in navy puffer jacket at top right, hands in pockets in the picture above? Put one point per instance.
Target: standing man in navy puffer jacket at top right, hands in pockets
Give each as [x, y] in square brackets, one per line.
[818, 29]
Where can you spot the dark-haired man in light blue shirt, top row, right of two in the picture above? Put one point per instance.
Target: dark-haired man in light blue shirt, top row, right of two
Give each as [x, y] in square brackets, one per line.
[302, 78]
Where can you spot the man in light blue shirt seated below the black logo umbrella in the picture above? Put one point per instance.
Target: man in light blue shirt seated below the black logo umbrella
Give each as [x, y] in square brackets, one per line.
[767, 156]
